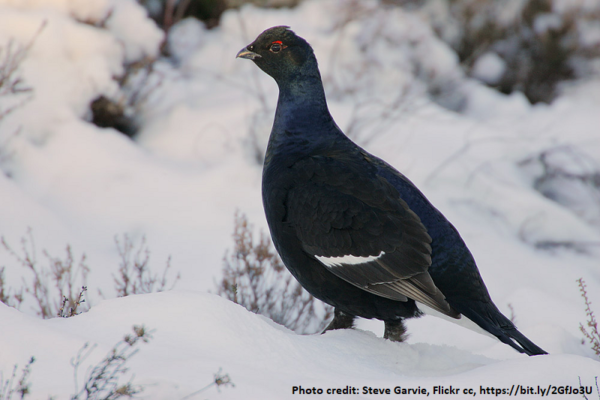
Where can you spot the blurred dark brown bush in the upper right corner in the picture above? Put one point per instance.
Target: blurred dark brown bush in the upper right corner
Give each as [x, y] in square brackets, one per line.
[540, 45]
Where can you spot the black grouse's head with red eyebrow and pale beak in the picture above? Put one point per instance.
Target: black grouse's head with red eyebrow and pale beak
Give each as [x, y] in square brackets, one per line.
[282, 54]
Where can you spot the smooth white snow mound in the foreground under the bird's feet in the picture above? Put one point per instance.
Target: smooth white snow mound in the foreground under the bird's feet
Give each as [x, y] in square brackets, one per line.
[195, 334]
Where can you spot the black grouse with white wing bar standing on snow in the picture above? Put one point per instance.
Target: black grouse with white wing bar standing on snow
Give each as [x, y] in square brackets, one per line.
[355, 232]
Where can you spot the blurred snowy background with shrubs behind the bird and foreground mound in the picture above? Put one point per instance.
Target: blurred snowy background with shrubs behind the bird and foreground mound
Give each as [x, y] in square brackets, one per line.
[132, 140]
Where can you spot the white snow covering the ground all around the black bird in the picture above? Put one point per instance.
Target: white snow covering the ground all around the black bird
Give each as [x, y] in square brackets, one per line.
[193, 164]
